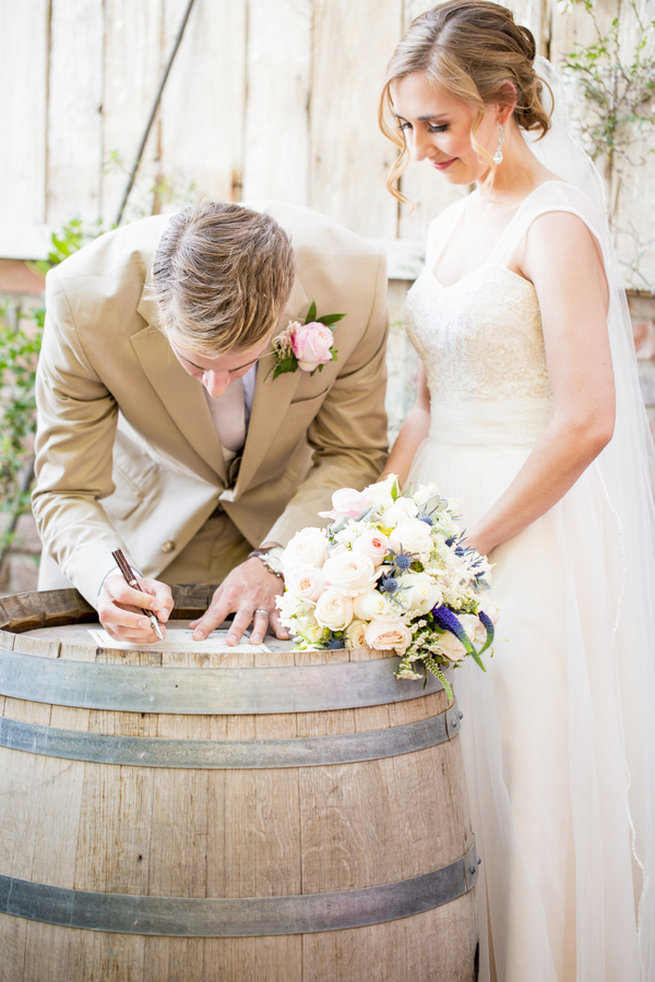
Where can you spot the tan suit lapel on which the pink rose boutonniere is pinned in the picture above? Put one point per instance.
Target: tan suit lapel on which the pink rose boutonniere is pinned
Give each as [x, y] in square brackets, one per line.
[272, 396]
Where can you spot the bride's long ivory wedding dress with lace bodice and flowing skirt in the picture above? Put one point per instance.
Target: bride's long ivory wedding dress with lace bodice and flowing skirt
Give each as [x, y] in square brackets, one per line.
[553, 732]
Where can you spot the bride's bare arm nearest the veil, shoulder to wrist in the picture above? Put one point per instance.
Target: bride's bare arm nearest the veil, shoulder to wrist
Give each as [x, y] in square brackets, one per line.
[561, 259]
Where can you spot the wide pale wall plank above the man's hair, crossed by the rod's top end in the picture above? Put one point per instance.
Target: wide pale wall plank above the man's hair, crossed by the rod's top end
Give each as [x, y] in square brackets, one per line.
[204, 101]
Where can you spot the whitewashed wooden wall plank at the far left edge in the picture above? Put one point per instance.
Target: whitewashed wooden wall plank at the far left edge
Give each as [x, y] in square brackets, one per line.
[23, 84]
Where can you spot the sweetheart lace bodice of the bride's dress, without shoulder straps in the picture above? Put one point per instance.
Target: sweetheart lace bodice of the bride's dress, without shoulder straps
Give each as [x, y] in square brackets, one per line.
[479, 339]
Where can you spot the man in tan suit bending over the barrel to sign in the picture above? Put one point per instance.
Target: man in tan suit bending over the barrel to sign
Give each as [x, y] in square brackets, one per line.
[164, 428]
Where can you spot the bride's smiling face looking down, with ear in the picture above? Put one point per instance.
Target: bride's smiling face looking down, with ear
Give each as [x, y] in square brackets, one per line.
[437, 127]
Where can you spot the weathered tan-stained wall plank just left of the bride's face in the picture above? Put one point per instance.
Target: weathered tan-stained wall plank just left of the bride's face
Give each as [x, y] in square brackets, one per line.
[350, 158]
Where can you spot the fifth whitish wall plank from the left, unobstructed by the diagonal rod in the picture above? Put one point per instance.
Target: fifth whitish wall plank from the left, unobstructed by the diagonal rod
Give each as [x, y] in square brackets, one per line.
[277, 149]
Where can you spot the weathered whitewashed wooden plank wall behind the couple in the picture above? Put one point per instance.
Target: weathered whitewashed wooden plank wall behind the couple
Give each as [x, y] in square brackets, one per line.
[266, 98]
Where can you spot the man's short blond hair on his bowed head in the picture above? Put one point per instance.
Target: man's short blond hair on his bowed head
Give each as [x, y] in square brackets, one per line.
[222, 274]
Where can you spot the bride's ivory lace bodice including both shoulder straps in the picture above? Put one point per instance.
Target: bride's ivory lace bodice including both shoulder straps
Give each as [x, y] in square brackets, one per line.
[481, 339]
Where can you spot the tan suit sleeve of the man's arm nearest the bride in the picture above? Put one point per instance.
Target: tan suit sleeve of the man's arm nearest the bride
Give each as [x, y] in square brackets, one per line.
[349, 434]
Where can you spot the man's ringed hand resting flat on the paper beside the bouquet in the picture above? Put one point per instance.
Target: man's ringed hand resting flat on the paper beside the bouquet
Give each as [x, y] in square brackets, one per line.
[248, 592]
